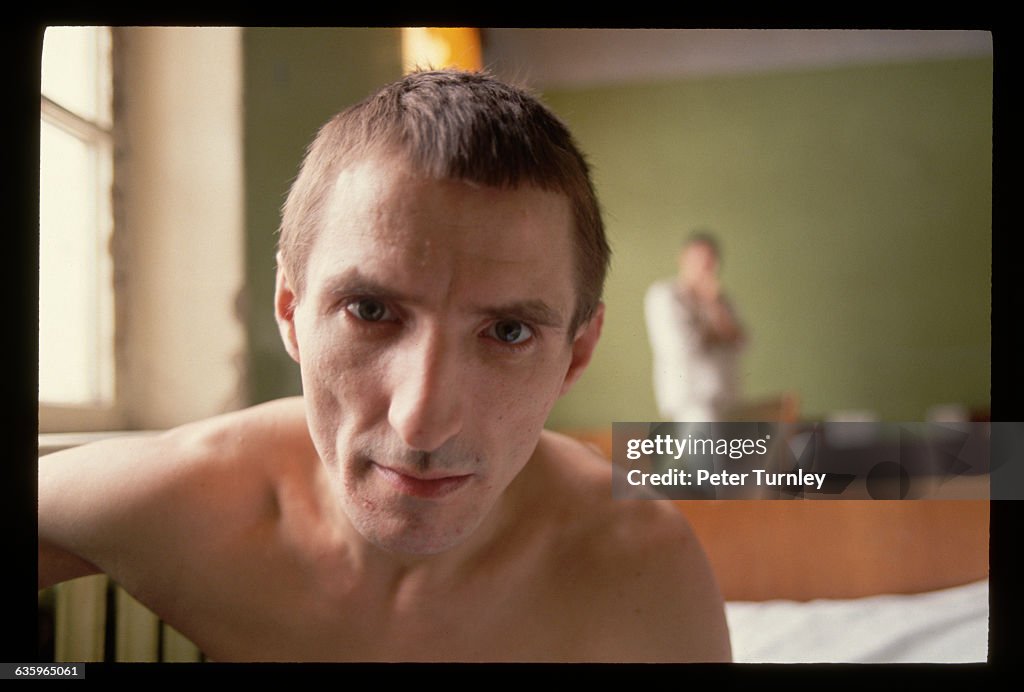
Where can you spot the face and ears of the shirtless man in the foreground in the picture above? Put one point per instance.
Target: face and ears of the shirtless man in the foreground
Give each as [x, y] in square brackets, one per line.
[432, 335]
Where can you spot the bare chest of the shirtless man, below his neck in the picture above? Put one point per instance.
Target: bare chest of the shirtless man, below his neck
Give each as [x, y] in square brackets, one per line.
[277, 590]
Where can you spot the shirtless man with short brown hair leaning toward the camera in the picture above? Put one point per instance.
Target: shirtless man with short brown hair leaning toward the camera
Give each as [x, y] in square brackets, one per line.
[440, 276]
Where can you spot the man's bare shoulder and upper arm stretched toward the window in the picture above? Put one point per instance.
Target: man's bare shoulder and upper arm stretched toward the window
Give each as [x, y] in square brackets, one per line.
[127, 502]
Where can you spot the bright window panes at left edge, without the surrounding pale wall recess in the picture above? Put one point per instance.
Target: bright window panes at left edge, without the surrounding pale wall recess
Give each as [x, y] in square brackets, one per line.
[76, 294]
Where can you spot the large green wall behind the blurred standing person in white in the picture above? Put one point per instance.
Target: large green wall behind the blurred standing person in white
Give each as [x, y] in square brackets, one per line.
[855, 208]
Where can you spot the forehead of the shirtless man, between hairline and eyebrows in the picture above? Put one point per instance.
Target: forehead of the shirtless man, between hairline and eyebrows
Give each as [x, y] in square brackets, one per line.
[405, 229]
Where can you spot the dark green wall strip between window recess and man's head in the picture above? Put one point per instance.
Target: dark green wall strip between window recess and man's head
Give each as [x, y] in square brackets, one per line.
[295, 80]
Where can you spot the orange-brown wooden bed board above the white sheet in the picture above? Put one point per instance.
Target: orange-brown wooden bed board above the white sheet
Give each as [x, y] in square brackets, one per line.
[802, 550]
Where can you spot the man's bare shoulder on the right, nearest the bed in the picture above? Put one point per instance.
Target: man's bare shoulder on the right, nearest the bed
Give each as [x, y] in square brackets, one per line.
[637, 564]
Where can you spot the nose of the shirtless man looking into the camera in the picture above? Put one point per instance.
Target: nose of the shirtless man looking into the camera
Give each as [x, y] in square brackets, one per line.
[426, 406]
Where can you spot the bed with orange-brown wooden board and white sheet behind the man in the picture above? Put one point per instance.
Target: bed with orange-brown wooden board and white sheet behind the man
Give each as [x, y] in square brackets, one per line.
[850, 582]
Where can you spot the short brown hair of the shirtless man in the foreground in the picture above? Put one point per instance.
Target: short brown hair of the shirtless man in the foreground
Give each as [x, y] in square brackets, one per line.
[460, 126]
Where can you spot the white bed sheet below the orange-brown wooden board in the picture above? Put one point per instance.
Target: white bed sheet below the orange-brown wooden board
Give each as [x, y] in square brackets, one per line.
[949, 626]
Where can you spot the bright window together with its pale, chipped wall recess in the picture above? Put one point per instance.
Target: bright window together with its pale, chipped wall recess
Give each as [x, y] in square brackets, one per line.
[176, 272]
